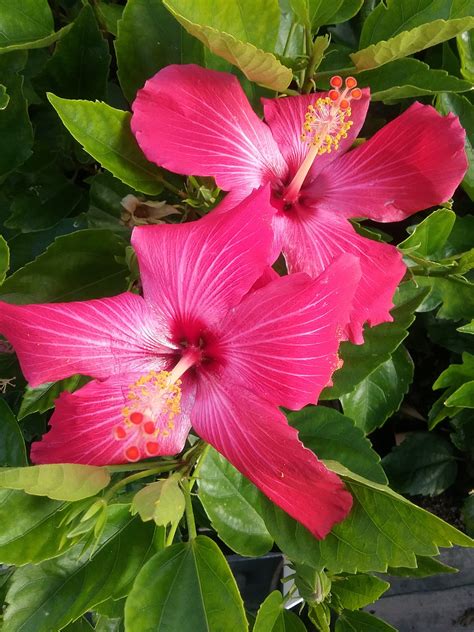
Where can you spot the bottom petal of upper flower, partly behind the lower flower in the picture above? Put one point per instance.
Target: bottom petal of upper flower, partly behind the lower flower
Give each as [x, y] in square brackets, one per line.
[312, 239]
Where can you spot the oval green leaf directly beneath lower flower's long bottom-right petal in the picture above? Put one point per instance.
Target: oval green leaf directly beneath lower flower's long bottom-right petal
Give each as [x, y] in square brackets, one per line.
[232, 503]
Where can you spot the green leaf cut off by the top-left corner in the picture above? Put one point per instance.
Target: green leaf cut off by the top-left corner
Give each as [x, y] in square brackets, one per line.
[18, 26]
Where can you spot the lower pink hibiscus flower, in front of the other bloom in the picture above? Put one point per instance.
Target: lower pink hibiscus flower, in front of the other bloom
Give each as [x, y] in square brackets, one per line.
[207, 346]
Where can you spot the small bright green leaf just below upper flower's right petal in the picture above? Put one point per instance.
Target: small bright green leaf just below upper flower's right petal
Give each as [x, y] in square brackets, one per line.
[431, 234]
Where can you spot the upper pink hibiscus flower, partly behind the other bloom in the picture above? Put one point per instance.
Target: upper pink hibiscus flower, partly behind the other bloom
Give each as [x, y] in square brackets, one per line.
[196, 121]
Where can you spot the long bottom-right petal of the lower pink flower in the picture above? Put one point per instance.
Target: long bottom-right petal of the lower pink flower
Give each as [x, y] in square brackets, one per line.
[256, 438]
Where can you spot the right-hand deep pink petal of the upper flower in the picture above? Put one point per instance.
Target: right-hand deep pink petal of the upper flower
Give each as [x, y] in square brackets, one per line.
[414, 162]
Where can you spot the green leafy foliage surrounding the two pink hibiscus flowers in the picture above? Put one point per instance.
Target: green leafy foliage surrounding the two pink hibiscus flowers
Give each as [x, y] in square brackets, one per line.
[126, 544]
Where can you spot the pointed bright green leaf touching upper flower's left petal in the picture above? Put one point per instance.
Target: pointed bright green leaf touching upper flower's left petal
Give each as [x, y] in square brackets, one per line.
[105, 134]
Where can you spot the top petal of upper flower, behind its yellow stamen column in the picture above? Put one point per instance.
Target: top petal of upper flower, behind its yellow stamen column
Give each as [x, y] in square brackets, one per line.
[285, 117]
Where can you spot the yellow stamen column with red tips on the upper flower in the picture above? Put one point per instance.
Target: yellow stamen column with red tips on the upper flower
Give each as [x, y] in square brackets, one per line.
[326, 122]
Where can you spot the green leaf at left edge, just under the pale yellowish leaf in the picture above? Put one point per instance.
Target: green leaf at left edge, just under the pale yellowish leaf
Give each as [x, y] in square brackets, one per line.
[31, 528]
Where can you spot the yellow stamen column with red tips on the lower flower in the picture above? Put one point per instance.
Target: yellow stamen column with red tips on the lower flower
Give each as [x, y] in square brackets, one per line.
[153, 402]
